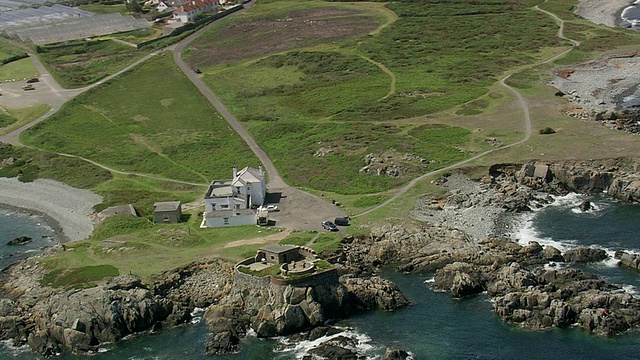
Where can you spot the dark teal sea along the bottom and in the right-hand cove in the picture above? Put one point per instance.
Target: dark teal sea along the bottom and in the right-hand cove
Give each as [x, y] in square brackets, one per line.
[436, 326]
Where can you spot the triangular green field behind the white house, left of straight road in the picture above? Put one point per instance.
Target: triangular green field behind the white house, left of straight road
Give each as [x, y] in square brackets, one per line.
[150, 120]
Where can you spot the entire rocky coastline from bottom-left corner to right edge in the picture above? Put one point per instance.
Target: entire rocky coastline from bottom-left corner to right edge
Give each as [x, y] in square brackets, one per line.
[461, 237]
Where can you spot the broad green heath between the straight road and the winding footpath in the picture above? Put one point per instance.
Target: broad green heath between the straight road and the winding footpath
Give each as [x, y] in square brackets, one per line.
[348, 98]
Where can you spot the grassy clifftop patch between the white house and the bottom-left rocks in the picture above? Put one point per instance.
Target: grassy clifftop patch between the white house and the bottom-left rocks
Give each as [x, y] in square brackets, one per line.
[137, 246]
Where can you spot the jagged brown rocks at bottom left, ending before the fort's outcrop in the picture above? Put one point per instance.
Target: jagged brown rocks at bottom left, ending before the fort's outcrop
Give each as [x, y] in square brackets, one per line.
[52, 319]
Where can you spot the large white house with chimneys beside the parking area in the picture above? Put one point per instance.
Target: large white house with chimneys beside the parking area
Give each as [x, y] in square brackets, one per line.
[231, 202]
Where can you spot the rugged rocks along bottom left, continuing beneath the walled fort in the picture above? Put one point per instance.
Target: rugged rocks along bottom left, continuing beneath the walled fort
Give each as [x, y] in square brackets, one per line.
[81, 321]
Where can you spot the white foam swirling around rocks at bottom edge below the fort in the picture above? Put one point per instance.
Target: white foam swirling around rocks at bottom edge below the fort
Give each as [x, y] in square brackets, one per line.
[363, 344]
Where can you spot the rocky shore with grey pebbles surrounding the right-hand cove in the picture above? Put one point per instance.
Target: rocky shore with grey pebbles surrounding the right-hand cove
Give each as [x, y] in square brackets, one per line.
[469, 257]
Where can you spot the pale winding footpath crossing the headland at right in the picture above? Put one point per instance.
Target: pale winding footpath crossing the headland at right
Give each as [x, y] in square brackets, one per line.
[526, 115]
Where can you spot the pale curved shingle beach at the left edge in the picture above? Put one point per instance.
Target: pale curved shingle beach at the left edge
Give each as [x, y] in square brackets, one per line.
[68, 207]
